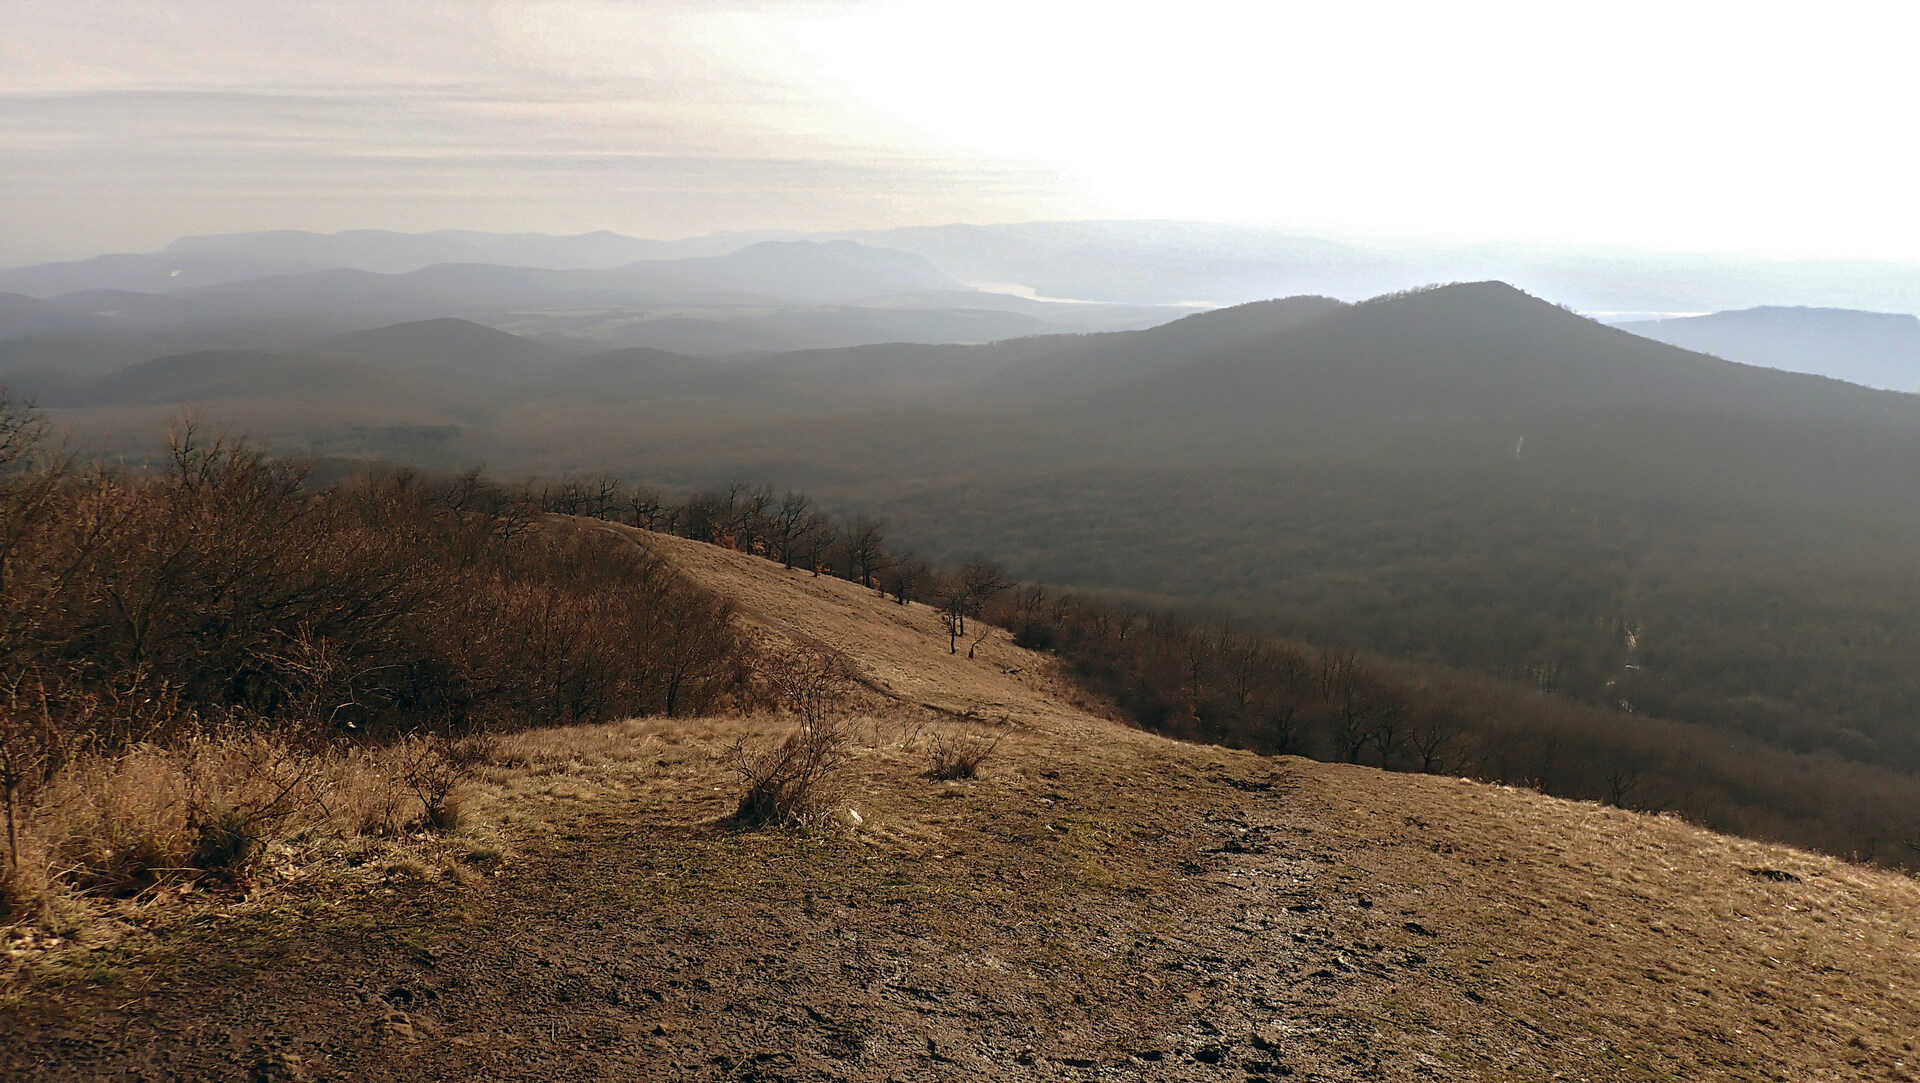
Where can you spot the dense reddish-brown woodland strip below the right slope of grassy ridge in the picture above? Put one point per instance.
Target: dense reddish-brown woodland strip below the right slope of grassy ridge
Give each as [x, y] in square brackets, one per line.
[1218, 685]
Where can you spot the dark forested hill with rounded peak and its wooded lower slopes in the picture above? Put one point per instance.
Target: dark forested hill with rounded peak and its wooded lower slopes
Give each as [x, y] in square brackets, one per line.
[1464, 475]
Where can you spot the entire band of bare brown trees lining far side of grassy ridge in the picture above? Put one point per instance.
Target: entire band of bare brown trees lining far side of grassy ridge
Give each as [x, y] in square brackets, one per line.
[1216, 681]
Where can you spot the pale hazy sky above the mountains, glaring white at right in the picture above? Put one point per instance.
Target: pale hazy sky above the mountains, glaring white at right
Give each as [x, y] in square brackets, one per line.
[1779, 130]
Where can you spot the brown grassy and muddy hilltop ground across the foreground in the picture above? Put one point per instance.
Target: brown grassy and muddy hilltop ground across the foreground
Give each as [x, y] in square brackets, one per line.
[1099, 905]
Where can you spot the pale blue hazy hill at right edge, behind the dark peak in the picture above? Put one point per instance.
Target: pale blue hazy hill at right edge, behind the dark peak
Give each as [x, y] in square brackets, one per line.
[1879, 350]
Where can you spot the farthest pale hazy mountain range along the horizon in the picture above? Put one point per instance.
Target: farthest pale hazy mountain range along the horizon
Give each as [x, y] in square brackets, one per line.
[1134, 262]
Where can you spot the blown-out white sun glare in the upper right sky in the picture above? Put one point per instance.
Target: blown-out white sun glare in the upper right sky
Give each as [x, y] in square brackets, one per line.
[1497, 120]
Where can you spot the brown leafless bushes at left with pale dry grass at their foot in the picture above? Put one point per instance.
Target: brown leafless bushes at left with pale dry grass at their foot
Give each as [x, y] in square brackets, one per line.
[191, 658]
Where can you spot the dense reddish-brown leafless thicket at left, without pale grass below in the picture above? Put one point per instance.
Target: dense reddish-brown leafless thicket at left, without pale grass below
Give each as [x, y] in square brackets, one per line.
[229, 587]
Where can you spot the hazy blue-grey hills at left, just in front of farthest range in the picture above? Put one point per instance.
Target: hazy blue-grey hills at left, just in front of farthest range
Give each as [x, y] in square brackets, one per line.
[775, 287]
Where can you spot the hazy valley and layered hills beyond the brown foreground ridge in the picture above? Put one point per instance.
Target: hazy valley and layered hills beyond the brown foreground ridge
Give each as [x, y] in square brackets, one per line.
[1462, 475]
